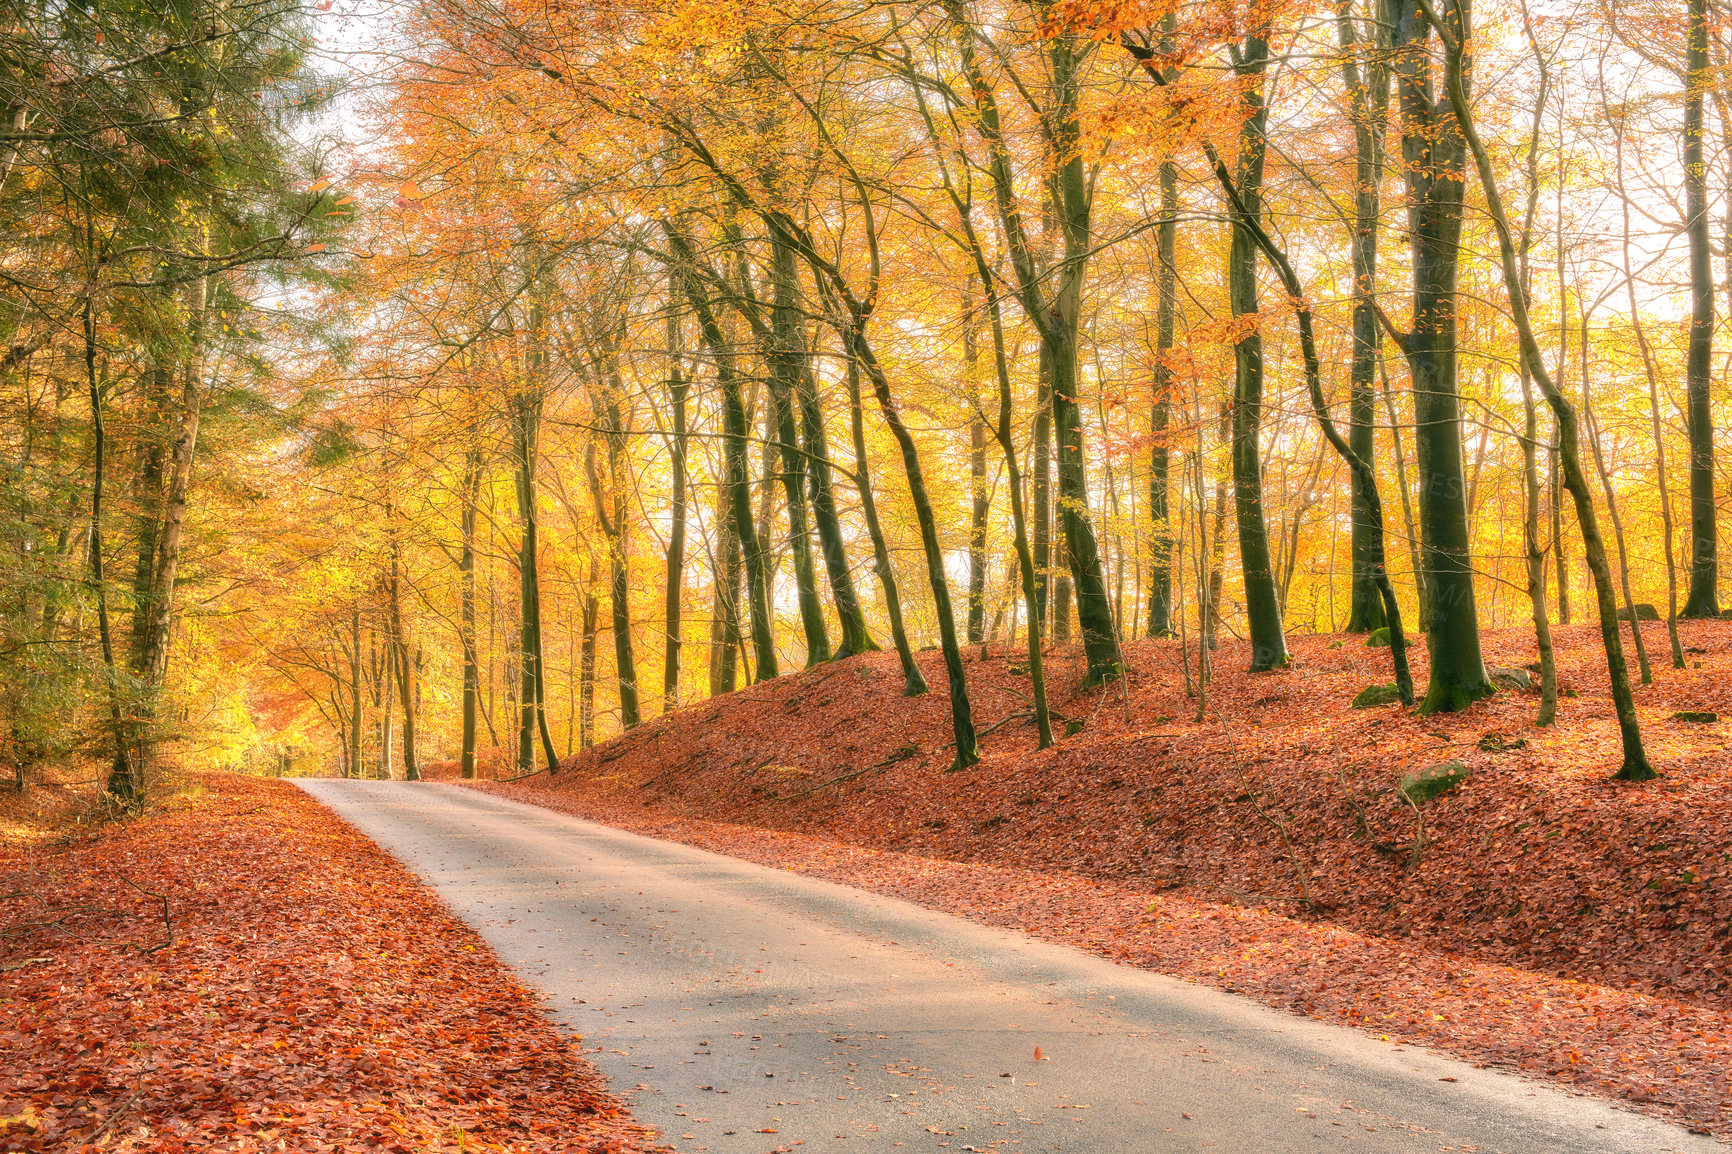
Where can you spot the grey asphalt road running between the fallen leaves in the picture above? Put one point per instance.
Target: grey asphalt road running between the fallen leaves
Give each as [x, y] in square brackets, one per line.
[744, 1009]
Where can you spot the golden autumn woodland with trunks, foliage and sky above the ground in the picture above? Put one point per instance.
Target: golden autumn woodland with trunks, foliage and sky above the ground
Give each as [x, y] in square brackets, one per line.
[550, 366]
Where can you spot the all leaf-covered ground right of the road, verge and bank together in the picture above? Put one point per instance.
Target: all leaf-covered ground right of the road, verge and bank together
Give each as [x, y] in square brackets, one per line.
[1539, 917]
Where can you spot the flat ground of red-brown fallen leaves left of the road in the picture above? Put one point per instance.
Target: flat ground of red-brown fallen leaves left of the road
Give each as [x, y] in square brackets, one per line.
[242, 971]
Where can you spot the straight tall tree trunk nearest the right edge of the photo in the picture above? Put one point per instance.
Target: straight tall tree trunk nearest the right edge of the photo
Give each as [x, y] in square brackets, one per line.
[1703, 599]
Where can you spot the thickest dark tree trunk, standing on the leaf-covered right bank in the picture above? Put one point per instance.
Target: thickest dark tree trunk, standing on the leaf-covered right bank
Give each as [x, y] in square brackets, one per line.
[1435, 167]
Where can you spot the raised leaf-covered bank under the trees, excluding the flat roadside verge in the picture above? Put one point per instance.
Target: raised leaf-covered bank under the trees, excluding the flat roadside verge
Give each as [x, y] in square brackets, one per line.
[1284, 796]
